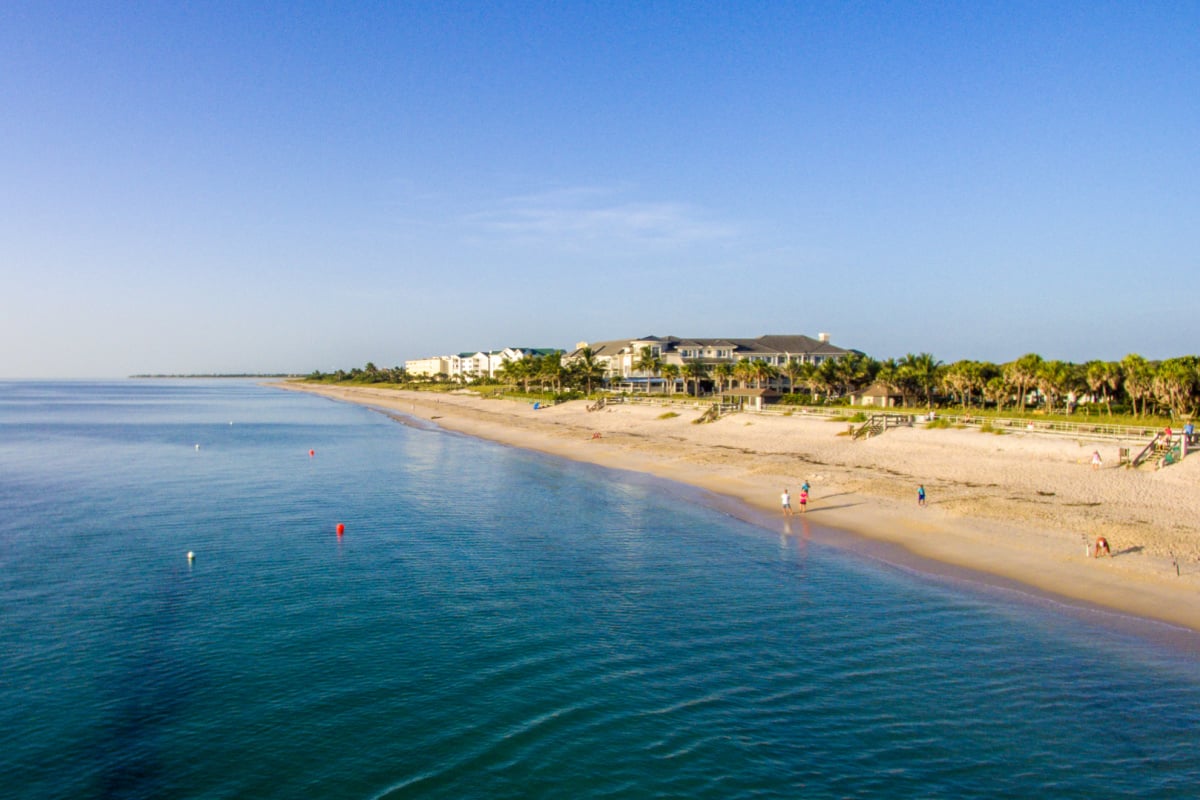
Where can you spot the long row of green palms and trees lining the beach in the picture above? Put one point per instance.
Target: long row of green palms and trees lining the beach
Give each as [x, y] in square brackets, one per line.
[1133, 386]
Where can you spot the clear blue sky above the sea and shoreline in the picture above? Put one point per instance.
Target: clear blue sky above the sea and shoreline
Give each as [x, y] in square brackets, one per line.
[229, 188]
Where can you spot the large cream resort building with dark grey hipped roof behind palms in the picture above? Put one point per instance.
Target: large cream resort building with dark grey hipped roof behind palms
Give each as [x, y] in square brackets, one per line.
[621, 358]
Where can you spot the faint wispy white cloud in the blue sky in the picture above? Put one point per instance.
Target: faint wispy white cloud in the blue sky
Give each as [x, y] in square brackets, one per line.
[590, 216]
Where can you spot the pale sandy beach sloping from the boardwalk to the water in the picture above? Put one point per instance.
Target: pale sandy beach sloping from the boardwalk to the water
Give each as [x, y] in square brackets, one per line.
[1015, 510]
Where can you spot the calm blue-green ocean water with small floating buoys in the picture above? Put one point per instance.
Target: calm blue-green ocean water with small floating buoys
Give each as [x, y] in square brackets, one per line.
[500, 624]
